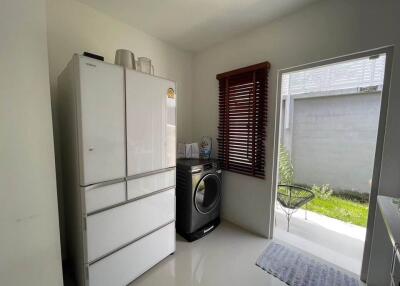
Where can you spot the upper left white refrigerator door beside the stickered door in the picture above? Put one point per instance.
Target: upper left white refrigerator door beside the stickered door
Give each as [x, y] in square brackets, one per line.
[101, 103]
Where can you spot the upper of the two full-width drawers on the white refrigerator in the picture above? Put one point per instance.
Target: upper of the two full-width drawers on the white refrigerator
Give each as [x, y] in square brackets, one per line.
[112, 229]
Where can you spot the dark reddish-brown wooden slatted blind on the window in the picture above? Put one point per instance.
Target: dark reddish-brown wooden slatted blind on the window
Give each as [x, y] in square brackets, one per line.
[242, 119]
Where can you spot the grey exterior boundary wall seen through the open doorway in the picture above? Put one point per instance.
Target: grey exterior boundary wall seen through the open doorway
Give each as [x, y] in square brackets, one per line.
[332, 140]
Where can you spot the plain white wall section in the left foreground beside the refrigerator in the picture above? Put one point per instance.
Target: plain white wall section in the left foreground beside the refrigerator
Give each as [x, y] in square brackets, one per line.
[29, 239]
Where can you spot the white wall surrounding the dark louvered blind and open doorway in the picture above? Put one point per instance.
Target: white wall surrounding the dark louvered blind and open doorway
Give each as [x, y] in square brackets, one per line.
[323, 30]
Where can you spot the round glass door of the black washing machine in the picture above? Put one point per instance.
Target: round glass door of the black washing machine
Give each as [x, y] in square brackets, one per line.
[207, 193]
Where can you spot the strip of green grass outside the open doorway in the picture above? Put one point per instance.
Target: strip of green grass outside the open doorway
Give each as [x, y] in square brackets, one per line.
[341, 209]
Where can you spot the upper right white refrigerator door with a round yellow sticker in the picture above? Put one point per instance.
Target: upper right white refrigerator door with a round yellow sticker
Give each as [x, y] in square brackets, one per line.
[151, 123]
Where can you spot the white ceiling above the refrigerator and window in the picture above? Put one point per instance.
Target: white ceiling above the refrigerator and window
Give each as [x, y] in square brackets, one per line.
[194, 25]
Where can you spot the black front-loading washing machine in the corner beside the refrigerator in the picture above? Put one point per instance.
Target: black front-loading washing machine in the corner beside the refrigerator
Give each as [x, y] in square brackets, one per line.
[198, 197]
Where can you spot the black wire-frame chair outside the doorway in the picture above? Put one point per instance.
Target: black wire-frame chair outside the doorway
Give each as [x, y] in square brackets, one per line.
[291, 198]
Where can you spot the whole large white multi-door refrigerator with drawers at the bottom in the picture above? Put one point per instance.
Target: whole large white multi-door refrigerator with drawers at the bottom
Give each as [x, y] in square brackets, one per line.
[118, 141]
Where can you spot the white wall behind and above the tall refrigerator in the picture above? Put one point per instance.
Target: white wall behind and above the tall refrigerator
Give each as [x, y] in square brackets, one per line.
[74, 27]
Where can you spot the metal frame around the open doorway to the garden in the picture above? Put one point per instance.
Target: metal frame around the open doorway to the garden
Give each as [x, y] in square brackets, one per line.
[388, 50]
